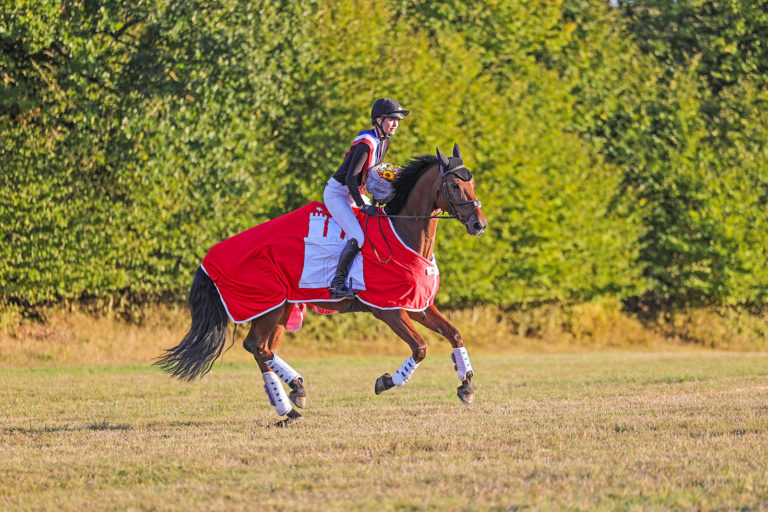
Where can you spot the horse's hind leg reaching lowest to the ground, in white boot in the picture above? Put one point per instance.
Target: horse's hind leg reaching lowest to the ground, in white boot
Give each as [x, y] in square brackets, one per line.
[257, 342]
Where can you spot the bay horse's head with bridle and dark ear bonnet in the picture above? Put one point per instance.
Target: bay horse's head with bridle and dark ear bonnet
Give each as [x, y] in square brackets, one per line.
[457, 195]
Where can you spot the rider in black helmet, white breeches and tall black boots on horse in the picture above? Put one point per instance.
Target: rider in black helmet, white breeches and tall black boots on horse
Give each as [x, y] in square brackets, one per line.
[343, 189]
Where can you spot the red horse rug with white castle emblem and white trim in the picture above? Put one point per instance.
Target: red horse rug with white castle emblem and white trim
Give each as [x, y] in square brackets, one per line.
[294, 257]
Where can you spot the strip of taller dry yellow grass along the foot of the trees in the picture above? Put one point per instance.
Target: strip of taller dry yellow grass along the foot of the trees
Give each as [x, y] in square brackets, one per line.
[74, 336]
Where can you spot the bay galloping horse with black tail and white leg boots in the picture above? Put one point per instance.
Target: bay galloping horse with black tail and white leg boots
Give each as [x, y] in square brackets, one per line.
[424, 191]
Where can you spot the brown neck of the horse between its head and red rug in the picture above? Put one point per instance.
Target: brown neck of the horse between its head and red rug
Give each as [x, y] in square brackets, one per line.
[419, 234]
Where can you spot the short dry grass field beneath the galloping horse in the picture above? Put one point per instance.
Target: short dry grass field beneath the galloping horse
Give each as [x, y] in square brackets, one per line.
[595, 430]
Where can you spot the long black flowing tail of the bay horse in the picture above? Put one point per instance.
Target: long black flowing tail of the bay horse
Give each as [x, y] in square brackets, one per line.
[204, 342]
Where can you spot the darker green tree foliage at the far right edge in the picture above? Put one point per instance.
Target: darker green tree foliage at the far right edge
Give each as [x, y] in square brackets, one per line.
[700, 181]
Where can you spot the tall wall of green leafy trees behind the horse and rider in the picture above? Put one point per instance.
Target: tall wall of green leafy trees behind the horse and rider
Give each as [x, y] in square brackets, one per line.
[612, 159]
